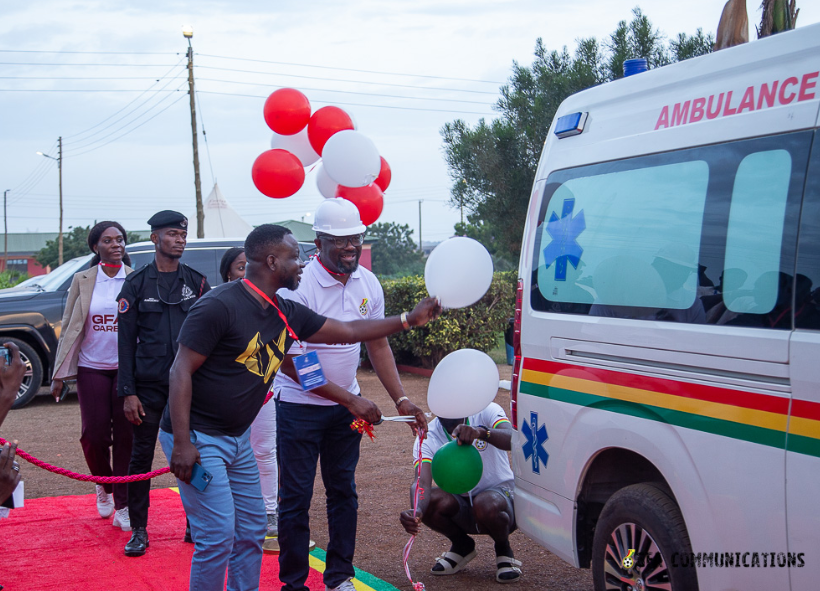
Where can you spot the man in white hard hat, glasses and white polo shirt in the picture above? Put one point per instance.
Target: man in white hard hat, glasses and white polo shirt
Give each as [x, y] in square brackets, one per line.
[317, 423]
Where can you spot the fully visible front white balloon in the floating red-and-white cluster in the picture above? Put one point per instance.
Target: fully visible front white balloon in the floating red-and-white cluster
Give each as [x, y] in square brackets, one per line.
[351, 159]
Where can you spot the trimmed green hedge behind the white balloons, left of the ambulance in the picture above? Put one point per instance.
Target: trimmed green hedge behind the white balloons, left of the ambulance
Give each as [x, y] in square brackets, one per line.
[475, 327]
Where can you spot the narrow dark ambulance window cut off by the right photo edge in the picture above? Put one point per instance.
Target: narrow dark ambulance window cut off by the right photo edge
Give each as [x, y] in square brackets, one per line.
[807, 285]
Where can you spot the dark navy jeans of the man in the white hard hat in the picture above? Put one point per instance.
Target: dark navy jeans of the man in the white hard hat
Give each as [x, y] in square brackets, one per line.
[305, 433]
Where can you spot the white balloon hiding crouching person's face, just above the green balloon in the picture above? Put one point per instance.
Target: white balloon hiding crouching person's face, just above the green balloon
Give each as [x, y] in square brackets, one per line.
[463, 384]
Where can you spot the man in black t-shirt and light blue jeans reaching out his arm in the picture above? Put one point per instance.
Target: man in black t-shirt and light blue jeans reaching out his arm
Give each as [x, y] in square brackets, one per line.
[230, 347]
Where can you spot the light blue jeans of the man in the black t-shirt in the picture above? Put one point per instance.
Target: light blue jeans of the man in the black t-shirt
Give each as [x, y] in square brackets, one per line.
[227, 519]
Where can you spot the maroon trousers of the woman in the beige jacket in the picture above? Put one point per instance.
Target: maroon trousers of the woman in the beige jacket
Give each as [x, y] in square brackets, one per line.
[106, 433]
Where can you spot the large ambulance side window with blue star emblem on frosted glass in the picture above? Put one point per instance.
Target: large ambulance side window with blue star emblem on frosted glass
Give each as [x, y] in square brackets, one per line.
[703, 236]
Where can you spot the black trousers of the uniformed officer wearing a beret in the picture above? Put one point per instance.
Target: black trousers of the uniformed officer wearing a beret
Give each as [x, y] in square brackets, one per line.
[142, 460]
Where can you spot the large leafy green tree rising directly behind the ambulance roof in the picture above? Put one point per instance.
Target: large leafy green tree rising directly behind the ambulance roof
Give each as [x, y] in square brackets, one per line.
[493, 164]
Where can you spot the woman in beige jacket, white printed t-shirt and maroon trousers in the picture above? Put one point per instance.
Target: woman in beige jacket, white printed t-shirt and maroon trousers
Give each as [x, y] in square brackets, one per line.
[88, 351]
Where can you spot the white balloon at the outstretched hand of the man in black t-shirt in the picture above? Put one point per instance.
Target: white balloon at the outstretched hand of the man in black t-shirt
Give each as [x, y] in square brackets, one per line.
[458, 272]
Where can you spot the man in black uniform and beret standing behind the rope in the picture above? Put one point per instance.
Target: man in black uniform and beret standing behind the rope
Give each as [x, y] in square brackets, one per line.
[153, 303]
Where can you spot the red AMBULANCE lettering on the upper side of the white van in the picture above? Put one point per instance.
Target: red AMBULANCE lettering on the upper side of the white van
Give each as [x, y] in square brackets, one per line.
[765, 95]
